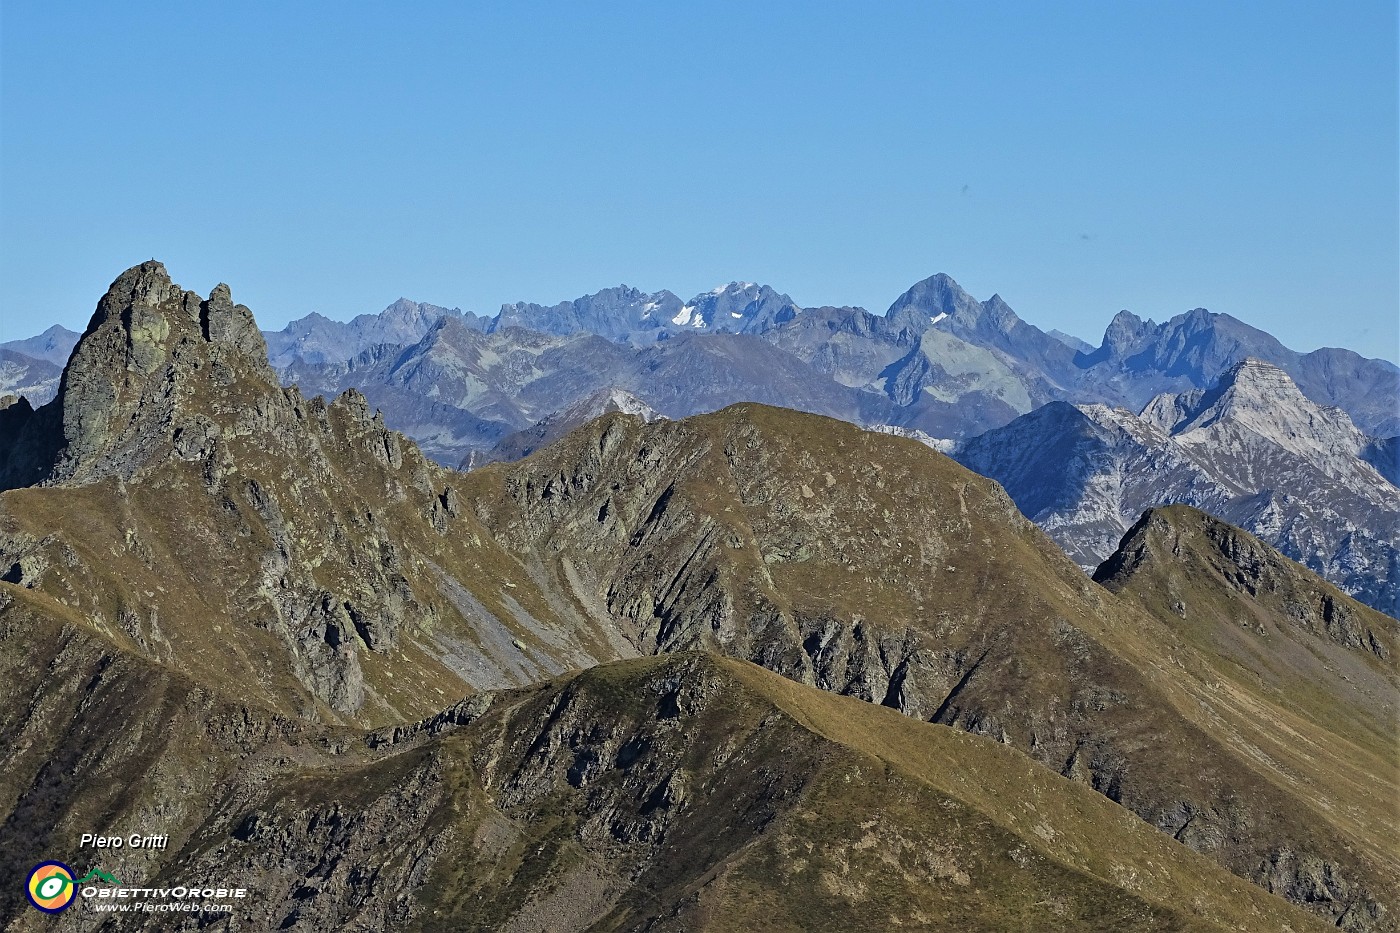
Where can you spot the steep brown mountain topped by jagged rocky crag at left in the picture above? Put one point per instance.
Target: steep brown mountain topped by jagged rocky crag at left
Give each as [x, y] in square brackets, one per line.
[316, 523]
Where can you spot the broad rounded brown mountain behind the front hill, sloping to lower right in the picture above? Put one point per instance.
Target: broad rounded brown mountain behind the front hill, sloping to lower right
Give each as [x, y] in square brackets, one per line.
[876, 568]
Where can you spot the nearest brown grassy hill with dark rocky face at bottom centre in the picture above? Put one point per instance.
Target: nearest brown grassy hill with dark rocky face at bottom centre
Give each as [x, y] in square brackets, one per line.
[678, 794]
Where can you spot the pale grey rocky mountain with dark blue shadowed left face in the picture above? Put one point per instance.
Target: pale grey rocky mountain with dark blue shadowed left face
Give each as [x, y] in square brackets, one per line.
[1252, 449]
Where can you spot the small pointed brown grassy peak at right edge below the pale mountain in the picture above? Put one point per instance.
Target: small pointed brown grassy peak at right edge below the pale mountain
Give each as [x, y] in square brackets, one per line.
[1312, 673]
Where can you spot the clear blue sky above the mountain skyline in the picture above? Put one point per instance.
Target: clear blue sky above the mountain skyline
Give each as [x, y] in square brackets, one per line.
[1077, 158]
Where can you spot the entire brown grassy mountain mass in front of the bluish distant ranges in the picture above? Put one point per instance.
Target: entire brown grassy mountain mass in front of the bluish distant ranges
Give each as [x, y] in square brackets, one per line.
[351, 676]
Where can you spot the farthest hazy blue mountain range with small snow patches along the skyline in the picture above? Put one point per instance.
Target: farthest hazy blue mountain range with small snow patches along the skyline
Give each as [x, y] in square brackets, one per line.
[937, 359]
